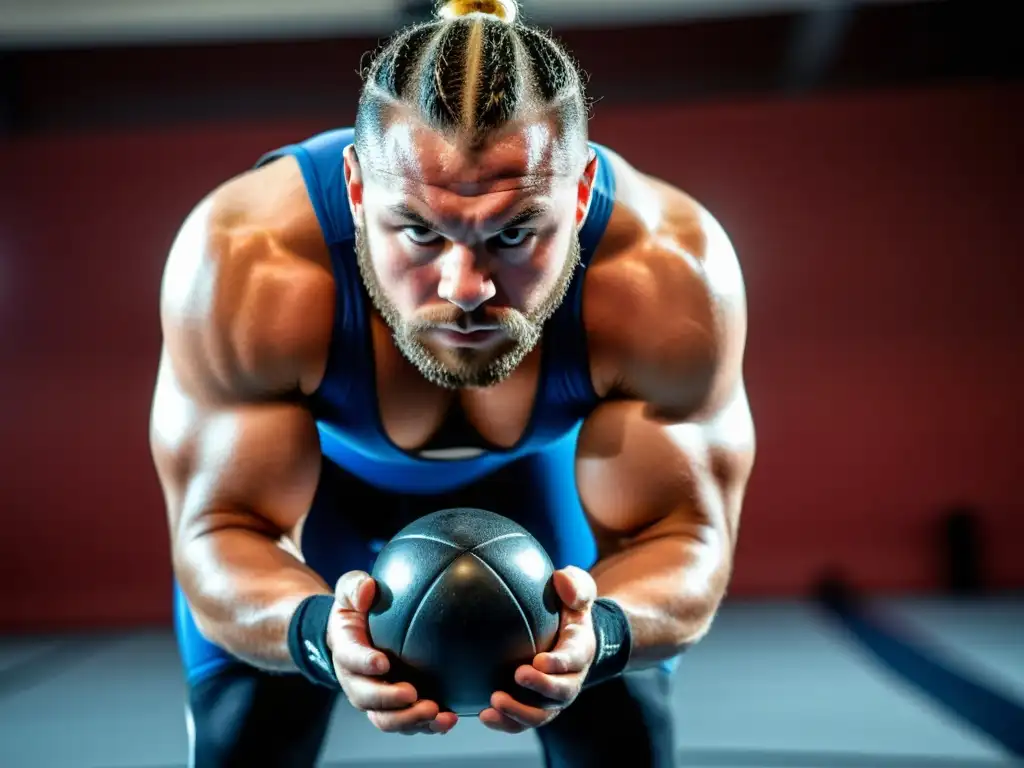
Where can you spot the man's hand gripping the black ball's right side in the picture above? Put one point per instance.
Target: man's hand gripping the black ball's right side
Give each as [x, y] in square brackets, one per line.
[559, 674]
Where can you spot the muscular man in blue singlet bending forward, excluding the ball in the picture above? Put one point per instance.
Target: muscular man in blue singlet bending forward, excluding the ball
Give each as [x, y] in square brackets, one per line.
[460, 303]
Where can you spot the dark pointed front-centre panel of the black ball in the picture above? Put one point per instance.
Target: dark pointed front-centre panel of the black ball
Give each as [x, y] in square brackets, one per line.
[467, 638]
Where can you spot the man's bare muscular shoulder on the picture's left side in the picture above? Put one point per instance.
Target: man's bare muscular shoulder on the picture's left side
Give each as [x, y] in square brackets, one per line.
[247, 296]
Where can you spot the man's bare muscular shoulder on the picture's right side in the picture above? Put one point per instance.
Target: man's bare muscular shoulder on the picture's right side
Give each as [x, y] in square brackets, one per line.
[666, 305]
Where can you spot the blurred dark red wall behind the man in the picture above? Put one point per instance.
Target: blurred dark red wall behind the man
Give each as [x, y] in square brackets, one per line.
[883, 255]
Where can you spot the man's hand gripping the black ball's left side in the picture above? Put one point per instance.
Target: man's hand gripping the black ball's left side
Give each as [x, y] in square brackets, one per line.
[394, 708]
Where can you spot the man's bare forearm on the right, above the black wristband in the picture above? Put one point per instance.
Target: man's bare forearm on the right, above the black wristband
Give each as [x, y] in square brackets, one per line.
[669, 588]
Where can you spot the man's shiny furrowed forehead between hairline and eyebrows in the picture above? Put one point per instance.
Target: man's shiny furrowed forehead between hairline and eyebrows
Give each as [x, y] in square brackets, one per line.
[526, 155]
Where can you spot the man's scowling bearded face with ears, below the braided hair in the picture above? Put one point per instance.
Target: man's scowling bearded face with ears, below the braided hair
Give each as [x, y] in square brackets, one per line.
[467, 252]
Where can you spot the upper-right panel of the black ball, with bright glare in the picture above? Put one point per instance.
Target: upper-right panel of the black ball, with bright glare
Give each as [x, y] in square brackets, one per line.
[526, 569]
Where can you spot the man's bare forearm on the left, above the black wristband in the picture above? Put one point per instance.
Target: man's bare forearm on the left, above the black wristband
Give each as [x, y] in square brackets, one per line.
[244, 588]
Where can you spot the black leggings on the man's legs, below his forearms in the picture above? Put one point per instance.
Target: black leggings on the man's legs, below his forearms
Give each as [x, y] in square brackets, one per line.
[244, 717]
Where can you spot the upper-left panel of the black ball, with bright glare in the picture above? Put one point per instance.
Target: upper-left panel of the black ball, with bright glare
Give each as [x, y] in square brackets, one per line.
[405, 572]
